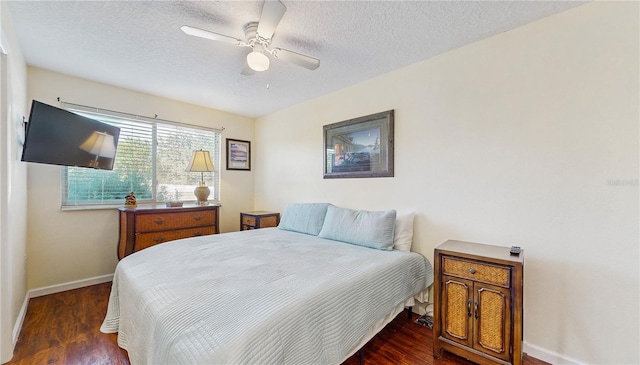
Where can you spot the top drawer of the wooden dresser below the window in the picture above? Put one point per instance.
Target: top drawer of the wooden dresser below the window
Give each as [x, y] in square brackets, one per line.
[161, 222]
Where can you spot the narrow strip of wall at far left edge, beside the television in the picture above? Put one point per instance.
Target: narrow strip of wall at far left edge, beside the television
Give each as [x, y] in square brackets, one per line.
[13, 177]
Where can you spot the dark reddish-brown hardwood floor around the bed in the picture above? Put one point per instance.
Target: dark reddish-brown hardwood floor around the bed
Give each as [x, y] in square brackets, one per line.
[64, 328]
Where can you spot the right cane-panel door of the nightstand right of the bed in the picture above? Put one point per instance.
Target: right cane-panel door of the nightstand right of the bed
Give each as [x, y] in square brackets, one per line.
[492, 327]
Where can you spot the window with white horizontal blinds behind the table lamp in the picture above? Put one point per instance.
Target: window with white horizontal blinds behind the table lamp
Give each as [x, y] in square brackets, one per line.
[151, 159]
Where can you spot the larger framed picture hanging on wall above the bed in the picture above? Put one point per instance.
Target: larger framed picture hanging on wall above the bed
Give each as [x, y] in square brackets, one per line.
[360, 147]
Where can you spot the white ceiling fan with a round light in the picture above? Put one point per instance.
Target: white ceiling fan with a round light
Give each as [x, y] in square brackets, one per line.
[258, 37]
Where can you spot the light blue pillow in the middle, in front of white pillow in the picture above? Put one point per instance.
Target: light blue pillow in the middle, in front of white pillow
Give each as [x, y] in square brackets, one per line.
[360, 227]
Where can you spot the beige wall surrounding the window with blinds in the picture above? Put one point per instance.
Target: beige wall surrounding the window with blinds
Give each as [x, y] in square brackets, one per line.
[65, 246]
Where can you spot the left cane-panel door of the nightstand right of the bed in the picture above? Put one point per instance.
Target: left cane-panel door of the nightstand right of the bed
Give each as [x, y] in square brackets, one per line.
[456, 307]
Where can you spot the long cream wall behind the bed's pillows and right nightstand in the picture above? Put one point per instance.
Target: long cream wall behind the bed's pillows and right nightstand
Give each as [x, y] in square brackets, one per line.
[529, 138]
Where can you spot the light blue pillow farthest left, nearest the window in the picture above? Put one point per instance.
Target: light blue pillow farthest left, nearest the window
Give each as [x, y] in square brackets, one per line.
[304, 217]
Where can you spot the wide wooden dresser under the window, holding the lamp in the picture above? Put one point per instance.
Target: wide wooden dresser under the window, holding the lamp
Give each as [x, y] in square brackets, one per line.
[148, 225]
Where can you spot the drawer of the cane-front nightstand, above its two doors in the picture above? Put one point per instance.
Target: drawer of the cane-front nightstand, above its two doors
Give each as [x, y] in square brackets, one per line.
[477, 271]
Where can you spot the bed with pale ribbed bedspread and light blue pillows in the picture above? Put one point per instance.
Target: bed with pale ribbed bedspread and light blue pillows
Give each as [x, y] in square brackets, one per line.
[311, 291]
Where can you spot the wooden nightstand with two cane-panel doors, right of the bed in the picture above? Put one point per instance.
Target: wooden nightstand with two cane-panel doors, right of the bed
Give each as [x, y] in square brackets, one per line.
[478, 302]
